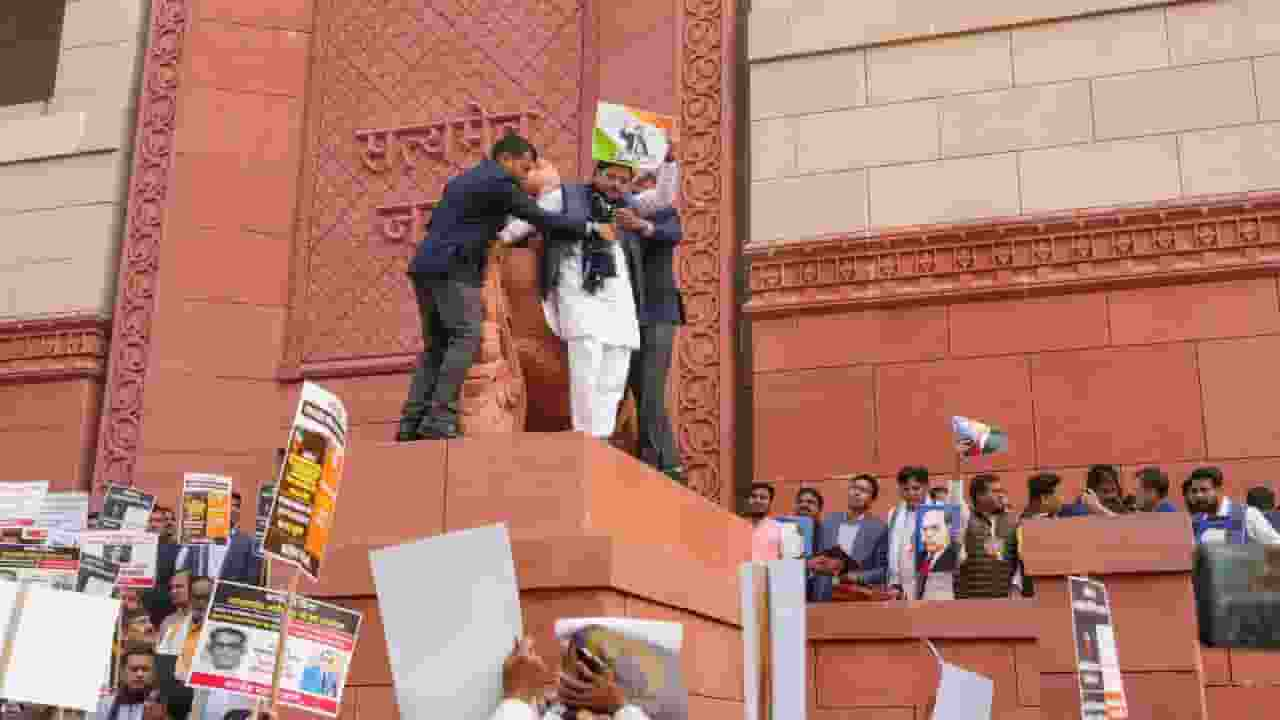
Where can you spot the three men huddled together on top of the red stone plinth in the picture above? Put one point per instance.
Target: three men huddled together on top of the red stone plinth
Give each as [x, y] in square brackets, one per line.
[607, 284]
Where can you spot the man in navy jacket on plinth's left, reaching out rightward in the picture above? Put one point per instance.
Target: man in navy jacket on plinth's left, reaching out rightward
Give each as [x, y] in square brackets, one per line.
[449, 279]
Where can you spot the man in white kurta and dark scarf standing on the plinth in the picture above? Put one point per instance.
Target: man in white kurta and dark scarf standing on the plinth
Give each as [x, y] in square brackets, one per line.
[591, 286]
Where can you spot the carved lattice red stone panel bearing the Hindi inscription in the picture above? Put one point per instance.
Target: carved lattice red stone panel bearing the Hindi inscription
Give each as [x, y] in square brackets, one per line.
[404, 97]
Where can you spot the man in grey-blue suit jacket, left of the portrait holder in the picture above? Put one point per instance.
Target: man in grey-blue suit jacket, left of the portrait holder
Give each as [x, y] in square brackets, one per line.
[860, 536]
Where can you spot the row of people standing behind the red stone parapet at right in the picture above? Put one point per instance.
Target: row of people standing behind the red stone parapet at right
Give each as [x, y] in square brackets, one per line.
[935, 546]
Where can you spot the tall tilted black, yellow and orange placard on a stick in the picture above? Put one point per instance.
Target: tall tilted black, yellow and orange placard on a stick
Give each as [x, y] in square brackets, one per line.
[298, 531]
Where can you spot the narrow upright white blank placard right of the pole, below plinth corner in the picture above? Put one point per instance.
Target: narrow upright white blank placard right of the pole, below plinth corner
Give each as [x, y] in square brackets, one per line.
[789, 634]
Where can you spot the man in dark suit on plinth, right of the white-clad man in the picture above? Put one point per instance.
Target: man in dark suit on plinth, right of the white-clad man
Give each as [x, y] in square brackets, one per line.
[661, 317]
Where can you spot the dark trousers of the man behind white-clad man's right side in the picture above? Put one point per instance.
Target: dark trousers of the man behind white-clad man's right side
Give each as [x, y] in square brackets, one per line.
[648, 382]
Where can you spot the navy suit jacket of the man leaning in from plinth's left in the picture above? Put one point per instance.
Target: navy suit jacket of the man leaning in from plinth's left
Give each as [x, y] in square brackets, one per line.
[467, 221]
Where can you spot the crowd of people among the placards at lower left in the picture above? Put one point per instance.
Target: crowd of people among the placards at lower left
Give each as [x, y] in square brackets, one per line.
[158, 631]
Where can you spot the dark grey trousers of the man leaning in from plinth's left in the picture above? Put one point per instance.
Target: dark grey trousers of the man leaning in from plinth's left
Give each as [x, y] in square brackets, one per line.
[452, 312]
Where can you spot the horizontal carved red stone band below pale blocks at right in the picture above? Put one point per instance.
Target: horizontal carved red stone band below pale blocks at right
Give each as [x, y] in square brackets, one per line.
[1182, 240]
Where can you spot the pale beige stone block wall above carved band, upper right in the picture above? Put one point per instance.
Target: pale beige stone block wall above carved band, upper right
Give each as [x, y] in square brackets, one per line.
[1130, 106]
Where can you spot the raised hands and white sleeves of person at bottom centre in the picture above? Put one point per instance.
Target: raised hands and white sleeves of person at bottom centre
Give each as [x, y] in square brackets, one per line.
[525, 680]
